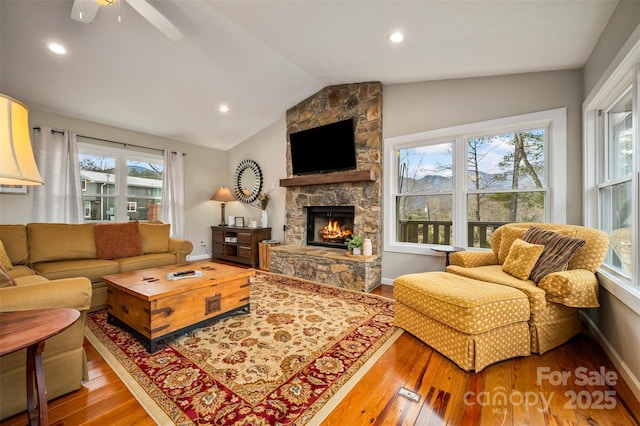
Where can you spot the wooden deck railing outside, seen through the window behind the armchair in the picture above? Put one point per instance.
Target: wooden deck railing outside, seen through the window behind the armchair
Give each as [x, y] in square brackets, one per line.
[441, 232]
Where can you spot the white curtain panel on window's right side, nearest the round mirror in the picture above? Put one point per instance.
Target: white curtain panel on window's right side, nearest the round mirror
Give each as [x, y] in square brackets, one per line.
[173, 199]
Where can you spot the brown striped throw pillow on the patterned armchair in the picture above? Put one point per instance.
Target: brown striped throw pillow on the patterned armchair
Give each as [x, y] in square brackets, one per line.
[558, 251]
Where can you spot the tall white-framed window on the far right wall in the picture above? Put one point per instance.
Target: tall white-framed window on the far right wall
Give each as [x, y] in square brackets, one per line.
[612, 175]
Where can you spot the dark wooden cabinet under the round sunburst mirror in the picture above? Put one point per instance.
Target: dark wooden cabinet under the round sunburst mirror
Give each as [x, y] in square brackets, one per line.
[239, 245]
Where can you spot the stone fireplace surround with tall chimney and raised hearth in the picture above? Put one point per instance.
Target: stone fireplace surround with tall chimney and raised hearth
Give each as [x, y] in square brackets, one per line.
[361, 189]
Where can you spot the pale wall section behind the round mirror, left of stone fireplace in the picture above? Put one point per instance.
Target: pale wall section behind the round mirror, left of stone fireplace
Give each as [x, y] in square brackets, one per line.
[268, 149]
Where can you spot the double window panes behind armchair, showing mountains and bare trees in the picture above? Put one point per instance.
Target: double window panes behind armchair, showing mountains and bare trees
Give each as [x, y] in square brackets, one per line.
[505, 181]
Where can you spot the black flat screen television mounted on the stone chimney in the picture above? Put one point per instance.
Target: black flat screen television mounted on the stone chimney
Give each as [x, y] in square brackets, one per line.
[324, 149]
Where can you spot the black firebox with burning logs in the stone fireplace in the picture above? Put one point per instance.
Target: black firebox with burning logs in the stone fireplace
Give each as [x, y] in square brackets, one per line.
[329, 226]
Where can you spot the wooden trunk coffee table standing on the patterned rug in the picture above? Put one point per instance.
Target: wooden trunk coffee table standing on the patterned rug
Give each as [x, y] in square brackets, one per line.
[155, 309]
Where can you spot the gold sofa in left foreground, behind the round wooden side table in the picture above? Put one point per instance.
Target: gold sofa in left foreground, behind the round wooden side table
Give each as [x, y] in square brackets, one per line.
[64, 359]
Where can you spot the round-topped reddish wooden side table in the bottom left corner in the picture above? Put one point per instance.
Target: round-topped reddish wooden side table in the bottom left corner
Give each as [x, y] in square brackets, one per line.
[30, 329]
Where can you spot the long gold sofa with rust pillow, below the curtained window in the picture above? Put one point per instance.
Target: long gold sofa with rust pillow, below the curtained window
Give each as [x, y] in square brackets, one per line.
[56, 250]
